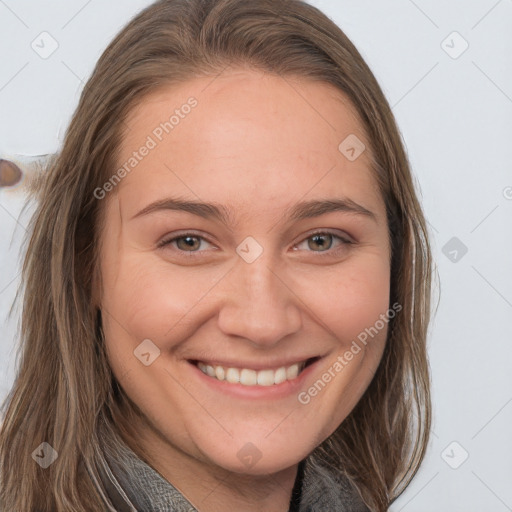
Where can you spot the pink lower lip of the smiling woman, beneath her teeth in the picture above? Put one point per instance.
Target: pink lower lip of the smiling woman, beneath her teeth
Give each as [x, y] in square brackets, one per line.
[282, 390]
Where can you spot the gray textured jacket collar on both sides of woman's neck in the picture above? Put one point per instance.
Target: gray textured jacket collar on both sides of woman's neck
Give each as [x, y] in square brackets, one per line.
[133, 486]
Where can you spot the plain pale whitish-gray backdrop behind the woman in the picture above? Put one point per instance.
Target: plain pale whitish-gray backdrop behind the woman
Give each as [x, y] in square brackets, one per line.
[445, 68]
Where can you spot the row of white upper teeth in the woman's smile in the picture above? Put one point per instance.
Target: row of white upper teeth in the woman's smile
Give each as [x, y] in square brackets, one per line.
[249, 377]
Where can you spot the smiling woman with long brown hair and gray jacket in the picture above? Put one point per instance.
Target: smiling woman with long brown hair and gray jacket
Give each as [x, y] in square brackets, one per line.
[225, 305]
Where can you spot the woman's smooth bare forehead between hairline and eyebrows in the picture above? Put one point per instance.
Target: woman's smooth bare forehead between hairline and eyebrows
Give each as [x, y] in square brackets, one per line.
[244, 136]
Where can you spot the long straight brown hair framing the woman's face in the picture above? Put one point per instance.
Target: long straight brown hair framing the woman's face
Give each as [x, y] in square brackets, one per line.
[64, 388]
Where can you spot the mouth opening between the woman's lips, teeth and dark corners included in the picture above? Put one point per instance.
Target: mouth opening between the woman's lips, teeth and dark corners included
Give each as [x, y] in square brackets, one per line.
[251, 377]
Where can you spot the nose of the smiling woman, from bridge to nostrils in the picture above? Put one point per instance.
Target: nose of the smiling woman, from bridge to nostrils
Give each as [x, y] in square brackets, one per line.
[258, 305]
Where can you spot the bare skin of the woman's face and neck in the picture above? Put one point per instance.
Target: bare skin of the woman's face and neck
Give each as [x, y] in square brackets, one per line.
[258, 144]
